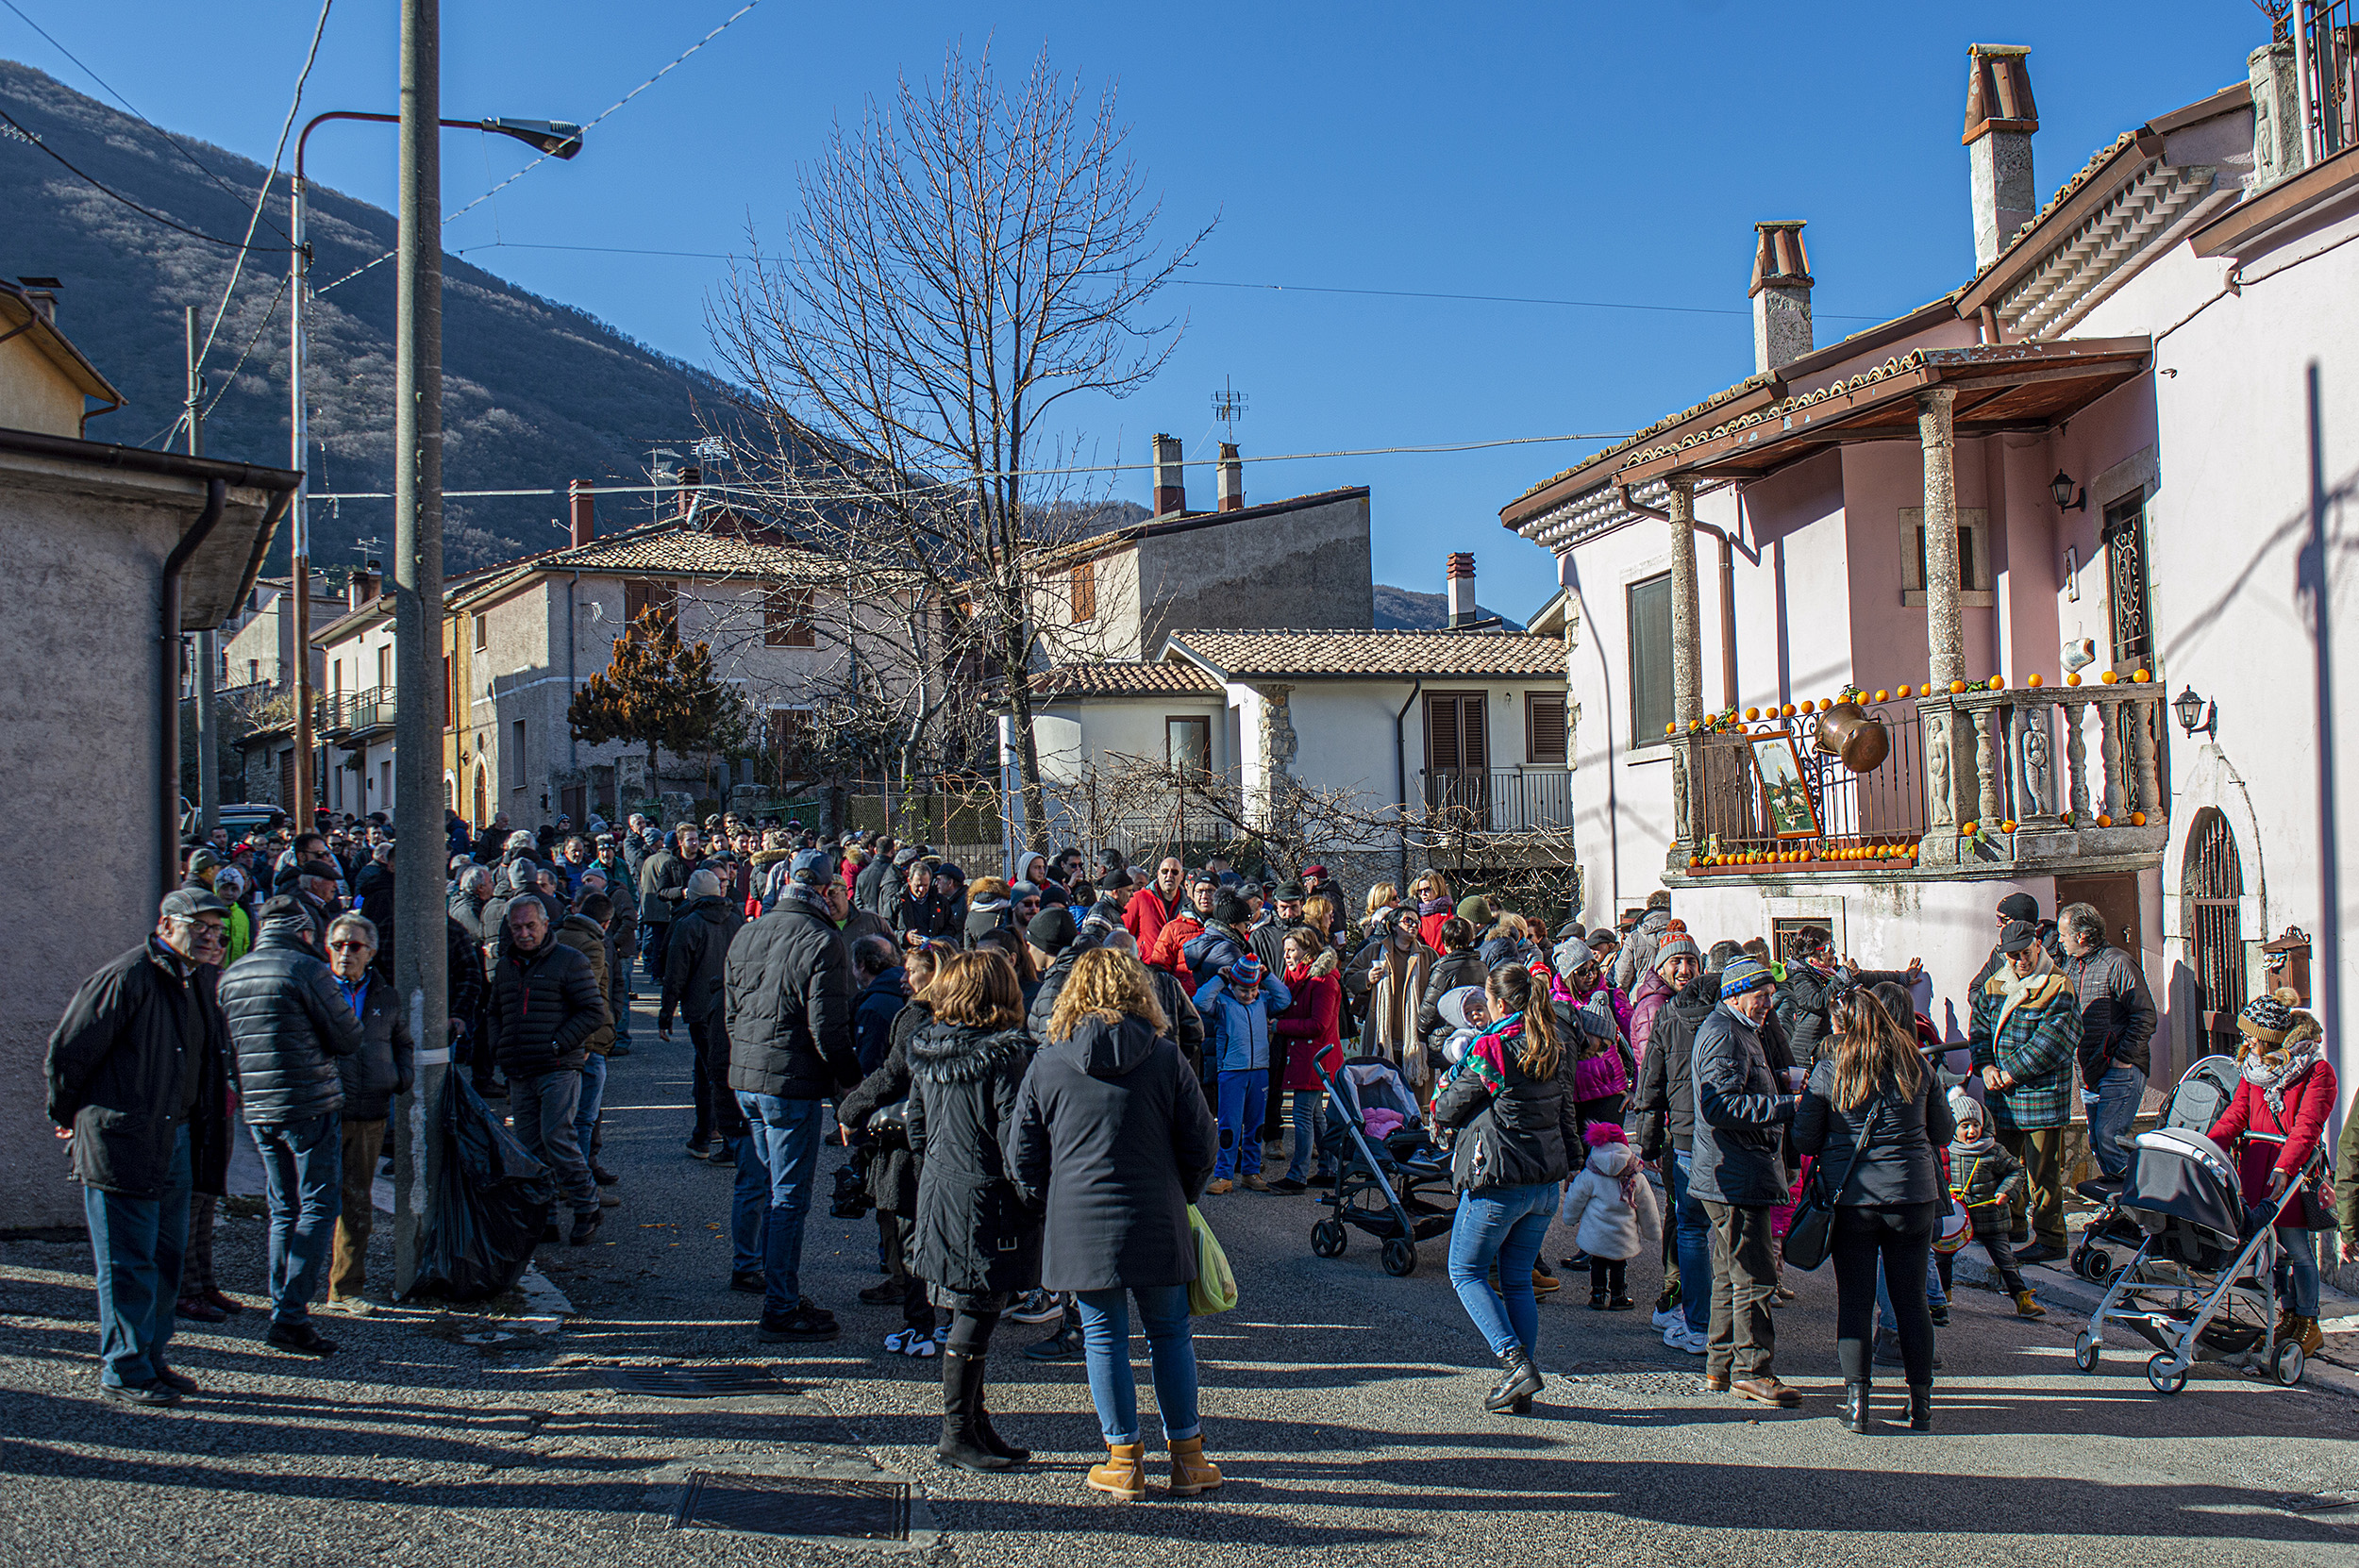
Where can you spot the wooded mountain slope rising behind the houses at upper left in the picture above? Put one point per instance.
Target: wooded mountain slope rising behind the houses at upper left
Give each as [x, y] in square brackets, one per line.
[534, 393]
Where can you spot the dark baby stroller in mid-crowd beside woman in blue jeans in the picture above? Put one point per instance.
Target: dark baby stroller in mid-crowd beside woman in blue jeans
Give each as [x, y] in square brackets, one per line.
[1384, 1185]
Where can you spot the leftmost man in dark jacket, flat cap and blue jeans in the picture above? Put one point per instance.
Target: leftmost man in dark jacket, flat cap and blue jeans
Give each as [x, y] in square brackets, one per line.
[140, 1081]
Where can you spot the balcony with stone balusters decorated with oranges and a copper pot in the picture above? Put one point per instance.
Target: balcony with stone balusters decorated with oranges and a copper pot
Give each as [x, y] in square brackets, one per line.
[2023, 782]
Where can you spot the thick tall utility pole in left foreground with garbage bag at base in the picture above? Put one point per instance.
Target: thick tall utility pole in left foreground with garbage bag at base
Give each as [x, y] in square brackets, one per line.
[421, 956]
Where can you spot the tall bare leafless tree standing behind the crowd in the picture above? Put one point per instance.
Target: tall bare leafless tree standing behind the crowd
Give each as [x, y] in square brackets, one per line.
[968, 258]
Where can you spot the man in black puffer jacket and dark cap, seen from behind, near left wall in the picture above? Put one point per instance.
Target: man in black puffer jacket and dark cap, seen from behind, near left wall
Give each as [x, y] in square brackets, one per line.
[289, 1025]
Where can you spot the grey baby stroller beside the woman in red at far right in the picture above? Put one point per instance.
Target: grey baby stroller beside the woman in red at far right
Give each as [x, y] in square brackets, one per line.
[2202, 1284]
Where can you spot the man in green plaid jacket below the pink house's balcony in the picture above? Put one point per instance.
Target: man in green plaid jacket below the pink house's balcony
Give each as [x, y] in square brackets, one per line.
[2028, 1039]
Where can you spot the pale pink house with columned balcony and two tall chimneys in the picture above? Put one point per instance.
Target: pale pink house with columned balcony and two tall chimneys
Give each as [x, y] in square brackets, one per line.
[2087, 475]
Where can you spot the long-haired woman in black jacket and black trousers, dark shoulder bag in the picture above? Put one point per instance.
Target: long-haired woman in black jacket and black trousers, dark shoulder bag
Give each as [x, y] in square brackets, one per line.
[1874, 1119]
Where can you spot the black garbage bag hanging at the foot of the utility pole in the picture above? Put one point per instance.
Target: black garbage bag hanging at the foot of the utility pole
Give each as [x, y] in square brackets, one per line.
[487, 1211]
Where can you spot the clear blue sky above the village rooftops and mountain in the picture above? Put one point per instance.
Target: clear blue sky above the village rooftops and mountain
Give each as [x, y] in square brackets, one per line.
[1556, 152]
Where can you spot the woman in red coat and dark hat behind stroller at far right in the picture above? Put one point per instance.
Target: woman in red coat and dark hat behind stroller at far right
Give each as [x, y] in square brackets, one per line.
[2280, 1112]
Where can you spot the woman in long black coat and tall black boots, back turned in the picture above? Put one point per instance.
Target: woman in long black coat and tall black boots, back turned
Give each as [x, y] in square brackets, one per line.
[978, 1241]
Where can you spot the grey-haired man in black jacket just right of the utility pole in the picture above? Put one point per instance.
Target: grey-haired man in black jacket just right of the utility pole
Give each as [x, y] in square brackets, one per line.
[548, 1003]
